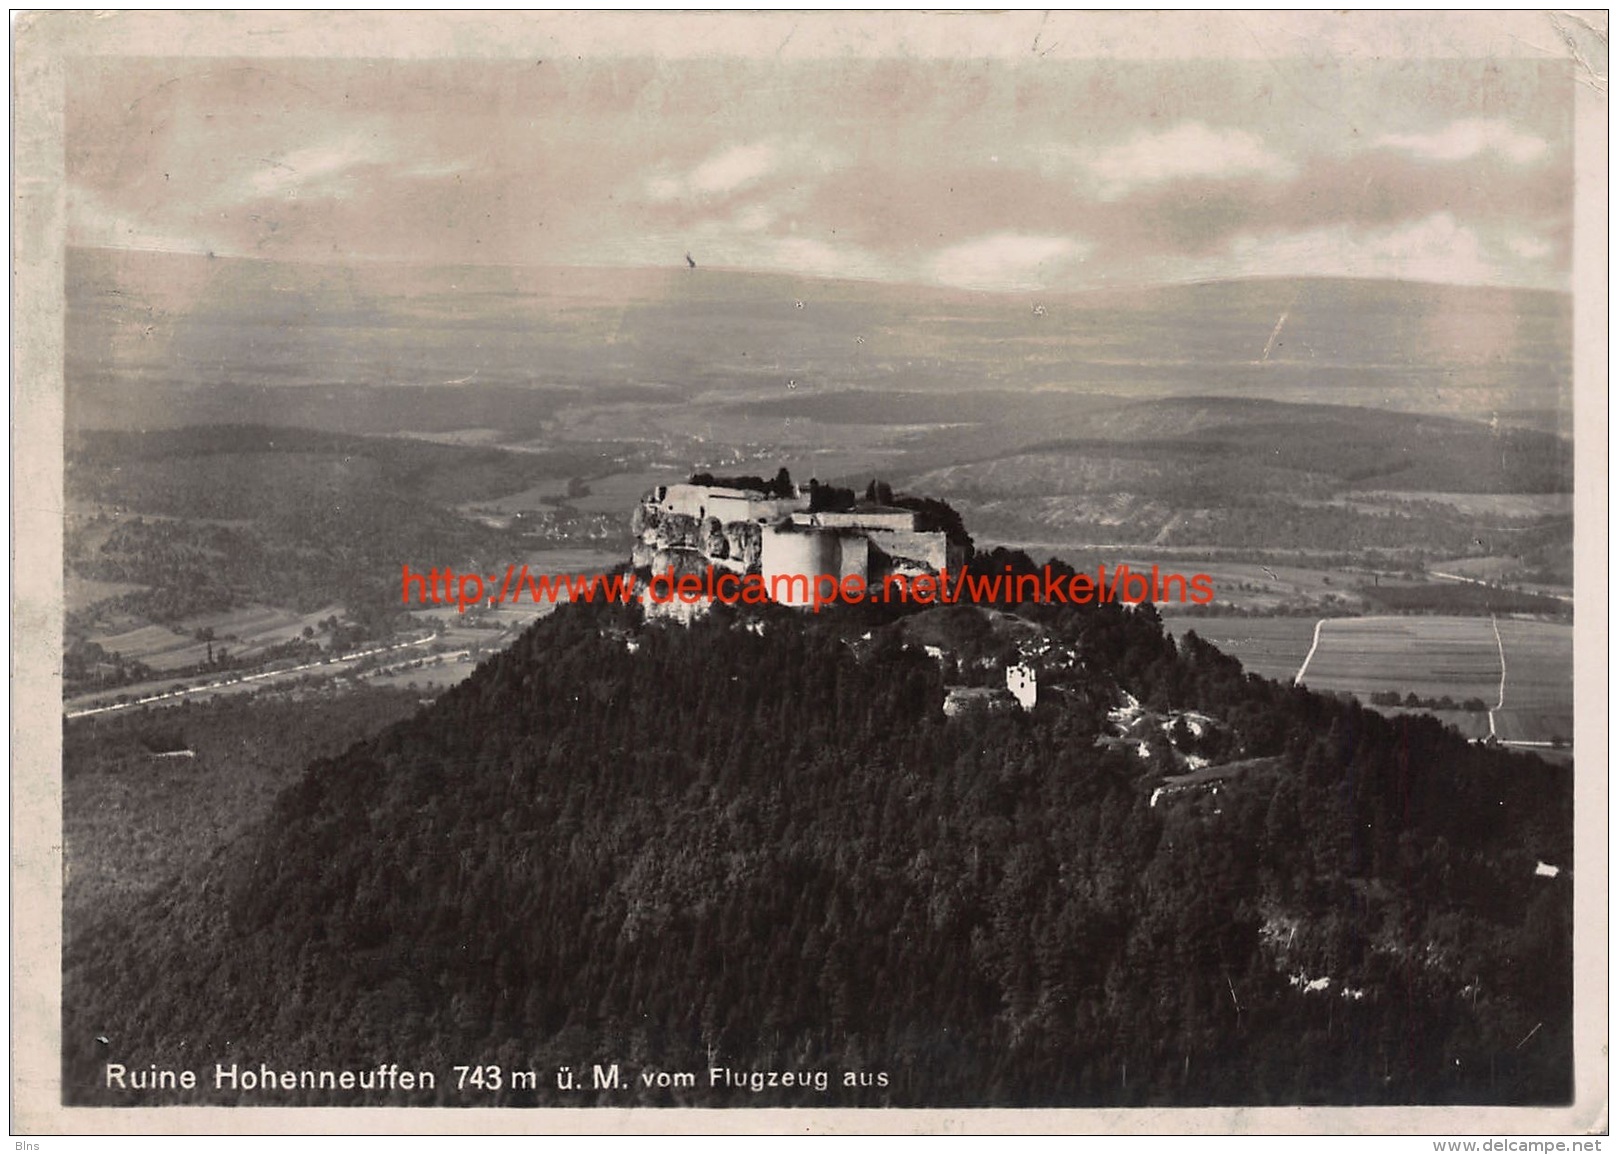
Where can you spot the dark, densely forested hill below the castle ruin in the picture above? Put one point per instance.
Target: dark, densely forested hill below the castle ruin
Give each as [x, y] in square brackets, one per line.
[760, 845]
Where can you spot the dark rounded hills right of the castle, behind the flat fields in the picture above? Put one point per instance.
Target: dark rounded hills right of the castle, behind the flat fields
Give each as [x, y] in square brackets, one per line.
[1224, 473]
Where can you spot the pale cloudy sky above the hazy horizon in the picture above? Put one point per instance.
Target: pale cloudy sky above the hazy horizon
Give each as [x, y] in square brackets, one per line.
[978, 174]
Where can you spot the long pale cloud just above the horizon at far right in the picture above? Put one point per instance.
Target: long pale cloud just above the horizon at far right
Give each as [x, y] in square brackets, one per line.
[1434, 248]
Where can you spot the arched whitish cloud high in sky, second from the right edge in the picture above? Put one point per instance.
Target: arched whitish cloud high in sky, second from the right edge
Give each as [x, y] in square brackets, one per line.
[1187, 151]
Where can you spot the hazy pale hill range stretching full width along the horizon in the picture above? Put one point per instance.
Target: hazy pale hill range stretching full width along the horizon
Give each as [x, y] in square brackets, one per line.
[155, 337]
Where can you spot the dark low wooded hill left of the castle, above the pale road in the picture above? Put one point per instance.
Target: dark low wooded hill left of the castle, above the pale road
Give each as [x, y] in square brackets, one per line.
[216, 517]
